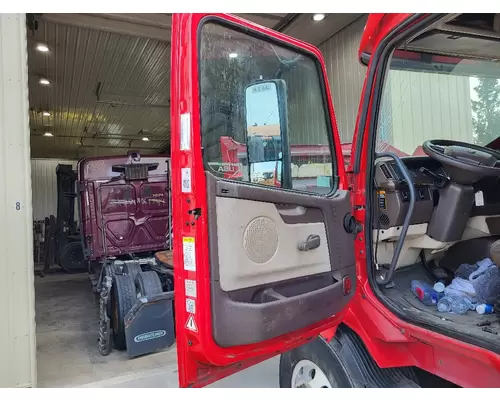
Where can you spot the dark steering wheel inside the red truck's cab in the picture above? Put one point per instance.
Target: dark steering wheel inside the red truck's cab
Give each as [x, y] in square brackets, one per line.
[465, 163]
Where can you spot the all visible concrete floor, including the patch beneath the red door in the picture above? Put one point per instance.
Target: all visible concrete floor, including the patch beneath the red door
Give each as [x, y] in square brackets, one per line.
[67, 355]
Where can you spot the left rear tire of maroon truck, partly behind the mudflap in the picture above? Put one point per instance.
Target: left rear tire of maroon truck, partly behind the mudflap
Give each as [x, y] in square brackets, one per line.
[122, 299]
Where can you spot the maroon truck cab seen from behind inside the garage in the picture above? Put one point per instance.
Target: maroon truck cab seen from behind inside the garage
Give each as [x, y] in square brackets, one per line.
[124, 205]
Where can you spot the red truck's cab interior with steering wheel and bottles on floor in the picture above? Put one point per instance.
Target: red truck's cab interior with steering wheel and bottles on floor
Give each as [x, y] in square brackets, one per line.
[435, 191]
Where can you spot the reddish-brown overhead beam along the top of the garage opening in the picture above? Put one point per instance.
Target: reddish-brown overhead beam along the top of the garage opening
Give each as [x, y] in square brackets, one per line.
[115, 24]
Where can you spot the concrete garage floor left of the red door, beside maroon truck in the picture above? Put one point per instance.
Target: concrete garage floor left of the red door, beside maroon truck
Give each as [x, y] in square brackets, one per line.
[67, 323]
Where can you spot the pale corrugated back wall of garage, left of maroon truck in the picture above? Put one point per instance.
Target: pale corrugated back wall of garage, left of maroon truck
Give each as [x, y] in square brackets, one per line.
[44, 186]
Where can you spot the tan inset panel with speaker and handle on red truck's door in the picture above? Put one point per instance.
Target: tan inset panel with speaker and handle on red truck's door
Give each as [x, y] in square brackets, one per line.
[256, 246]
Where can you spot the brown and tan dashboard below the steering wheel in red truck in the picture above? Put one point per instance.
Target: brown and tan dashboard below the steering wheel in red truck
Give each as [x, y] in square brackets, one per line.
[445, 212]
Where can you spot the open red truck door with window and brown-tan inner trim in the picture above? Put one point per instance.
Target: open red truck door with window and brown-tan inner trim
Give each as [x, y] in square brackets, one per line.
[260, 268]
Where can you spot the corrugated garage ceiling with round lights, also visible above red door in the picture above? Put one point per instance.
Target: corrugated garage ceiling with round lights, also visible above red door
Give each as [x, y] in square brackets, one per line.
[109, 77]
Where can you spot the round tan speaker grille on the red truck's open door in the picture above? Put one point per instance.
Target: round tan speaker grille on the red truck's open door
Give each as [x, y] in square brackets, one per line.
[260, 240]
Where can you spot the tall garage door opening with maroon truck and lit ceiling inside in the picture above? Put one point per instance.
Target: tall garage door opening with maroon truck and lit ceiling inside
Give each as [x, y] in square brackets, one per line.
[99, 92]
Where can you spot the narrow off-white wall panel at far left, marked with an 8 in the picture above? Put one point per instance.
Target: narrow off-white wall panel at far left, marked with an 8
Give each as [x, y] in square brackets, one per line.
[17, 307]
